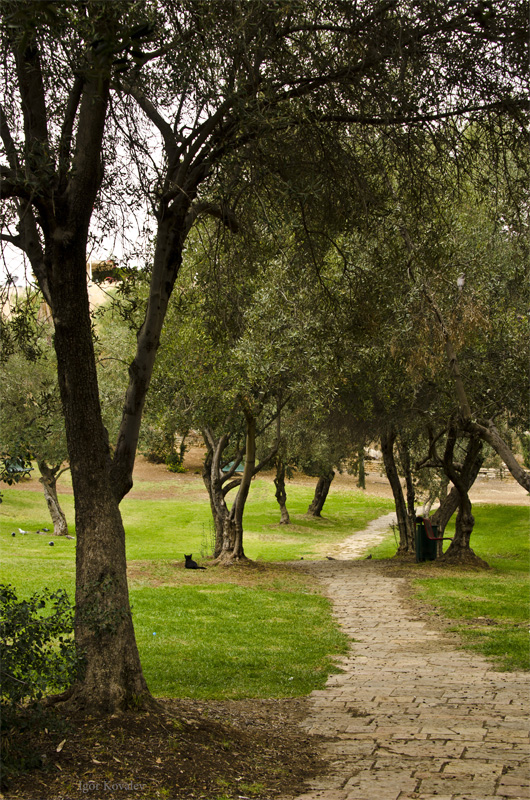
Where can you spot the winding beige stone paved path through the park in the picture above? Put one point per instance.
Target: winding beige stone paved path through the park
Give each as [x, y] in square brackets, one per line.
[412, 716]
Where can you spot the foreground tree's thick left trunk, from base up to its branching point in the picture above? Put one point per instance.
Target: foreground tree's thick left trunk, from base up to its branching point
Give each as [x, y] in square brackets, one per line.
[112, 677]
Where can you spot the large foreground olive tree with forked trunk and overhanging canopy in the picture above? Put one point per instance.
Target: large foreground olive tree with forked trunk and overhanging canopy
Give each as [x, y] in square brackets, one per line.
[209, 80]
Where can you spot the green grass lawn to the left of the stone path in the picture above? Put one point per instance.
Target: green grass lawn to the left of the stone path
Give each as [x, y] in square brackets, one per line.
[242, 632]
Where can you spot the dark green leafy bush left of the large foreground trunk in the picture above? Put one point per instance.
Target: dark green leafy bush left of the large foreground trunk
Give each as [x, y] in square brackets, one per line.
[38, 652]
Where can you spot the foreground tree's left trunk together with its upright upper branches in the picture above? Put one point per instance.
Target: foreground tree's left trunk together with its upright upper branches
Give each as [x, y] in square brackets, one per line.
[112, 678]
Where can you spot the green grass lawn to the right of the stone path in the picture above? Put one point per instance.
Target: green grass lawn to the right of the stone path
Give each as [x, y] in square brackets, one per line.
[490, 609]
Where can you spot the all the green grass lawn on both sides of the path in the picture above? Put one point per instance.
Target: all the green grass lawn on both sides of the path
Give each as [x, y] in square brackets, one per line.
[265, 631]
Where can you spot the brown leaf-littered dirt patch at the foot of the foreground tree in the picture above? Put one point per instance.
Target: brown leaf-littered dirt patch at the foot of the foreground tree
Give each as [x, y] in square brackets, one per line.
[191, 749]
